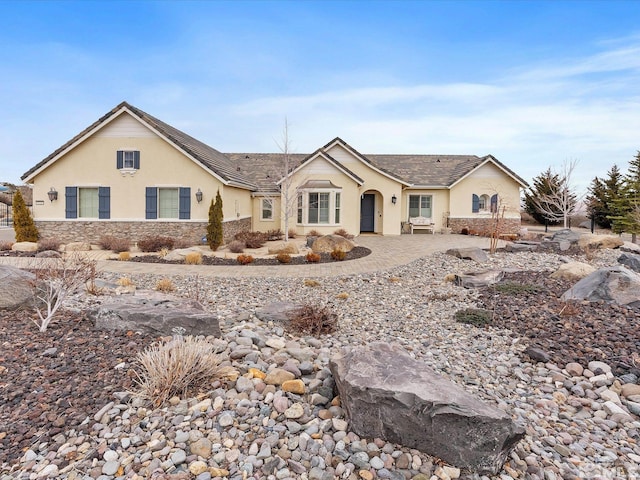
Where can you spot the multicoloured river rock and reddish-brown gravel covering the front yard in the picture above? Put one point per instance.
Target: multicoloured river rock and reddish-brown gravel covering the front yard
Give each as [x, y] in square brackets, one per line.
[65, 413]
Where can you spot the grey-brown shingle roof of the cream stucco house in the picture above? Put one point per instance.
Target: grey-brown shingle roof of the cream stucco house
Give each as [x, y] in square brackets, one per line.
[261, 171]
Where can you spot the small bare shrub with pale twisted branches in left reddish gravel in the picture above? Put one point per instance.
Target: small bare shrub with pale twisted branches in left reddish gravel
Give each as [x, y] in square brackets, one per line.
[56, 280]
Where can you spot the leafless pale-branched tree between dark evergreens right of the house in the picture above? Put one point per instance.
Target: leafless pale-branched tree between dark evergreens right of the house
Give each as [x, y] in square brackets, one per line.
[562, 200]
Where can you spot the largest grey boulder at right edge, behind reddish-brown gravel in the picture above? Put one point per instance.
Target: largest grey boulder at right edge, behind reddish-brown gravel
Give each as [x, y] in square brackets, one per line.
[613, 284]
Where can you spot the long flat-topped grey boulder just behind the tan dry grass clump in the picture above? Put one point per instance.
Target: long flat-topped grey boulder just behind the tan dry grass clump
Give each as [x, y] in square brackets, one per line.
[155, 313]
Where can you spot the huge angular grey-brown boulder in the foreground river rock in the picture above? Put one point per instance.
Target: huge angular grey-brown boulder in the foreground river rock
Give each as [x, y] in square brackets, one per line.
[387, 394]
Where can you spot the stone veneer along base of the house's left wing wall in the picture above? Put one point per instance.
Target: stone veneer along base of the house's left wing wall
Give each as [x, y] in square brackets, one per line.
[93, 230]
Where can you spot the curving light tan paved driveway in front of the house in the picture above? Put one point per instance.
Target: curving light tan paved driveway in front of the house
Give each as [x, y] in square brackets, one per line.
[386, 252]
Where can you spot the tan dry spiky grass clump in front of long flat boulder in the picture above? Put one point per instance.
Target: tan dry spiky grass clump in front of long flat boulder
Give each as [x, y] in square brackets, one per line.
[182, 367]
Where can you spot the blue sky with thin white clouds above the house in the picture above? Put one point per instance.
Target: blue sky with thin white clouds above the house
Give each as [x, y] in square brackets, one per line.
[535, 84]
